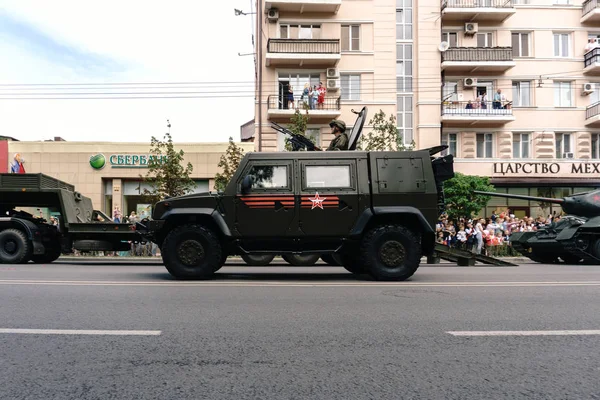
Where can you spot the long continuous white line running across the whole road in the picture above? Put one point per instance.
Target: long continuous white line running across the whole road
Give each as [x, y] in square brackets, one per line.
[218, 283]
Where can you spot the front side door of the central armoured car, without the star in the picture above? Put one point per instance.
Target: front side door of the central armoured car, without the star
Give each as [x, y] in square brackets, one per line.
[268, 209]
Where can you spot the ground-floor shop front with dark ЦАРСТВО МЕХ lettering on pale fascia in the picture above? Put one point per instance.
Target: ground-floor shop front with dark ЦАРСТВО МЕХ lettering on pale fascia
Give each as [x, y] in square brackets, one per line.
[555, 178]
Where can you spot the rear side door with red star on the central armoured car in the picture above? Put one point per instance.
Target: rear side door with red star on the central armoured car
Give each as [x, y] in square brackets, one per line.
[329, 200]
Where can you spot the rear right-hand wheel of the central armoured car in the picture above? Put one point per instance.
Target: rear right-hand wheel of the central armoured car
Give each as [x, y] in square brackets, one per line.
[390, 252]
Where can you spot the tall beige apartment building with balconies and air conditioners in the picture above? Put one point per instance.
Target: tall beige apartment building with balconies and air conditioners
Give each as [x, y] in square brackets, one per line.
[437, 65]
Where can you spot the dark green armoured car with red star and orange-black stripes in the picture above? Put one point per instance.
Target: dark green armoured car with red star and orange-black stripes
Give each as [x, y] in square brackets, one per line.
[375, 211]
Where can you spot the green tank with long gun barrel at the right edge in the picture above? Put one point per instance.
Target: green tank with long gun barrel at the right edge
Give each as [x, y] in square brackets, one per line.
[574, 238]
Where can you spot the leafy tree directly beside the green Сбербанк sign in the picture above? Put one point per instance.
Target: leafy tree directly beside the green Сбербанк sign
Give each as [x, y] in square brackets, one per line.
[166, 174]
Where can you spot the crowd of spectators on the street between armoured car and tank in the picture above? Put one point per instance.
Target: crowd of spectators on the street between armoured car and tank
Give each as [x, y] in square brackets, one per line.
[487, 236]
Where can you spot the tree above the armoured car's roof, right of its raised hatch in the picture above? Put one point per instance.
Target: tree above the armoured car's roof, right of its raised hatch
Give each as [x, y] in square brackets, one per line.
[385, 135]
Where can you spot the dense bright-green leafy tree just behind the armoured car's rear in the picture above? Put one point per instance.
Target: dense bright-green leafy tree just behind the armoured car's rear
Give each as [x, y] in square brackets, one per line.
[460, 199]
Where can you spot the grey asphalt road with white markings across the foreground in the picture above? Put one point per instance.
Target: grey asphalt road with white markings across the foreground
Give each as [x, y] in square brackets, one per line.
[299, 333]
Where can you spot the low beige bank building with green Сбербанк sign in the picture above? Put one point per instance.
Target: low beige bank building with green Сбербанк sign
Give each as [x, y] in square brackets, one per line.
[111, 174]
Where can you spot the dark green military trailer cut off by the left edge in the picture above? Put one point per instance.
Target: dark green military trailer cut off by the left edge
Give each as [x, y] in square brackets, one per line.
[25, 237]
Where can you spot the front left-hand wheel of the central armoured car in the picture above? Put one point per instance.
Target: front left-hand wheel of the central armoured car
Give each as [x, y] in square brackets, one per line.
[192, 252]
